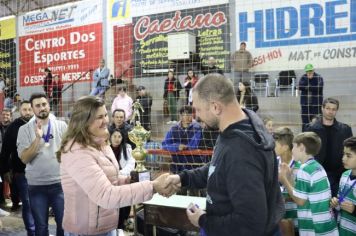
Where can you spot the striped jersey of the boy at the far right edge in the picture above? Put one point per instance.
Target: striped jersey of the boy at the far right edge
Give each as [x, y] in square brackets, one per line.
[347, 225]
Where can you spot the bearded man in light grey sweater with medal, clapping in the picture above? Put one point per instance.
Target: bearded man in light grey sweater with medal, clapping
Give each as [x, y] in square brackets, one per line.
[37, 143]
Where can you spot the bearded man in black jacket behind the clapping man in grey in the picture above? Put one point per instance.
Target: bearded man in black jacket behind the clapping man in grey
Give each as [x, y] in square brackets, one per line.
[12, 167]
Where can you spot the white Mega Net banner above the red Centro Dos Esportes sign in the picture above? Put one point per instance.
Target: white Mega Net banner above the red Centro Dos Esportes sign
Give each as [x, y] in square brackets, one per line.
[61, 17]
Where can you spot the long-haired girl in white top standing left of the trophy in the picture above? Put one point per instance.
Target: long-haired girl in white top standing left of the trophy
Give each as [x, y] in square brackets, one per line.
[122, 152]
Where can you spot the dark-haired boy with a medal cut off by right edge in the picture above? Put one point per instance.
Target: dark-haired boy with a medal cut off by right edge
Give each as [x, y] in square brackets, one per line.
[346, 199]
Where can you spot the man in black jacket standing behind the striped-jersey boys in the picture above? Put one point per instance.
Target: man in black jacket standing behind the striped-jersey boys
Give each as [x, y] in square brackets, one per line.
[332, 134]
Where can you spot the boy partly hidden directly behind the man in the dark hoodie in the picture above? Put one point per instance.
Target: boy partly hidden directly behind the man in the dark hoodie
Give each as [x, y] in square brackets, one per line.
[283, 138]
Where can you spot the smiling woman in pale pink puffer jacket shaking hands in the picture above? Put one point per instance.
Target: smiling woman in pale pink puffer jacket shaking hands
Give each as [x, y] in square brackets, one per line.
[93, 188]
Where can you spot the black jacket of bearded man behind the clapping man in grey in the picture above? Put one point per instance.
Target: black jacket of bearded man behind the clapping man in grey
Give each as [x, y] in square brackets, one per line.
[9, 159]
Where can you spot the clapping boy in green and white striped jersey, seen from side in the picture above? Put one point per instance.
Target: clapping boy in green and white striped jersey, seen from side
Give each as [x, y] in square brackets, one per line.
[312, 189]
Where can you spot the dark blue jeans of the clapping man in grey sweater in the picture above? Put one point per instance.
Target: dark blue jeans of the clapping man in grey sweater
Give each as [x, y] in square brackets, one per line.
[41, 198]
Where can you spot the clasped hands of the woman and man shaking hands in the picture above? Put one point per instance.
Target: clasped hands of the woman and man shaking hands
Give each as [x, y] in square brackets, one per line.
[167, 184]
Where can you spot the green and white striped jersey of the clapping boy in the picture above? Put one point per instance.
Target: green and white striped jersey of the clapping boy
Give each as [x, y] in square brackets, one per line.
[315, 217]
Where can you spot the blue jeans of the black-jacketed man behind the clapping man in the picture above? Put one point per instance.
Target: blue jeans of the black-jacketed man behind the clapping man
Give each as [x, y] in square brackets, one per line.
[22, 188]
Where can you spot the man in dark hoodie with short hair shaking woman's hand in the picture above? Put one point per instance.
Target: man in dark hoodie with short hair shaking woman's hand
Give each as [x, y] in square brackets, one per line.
[243, 195]
